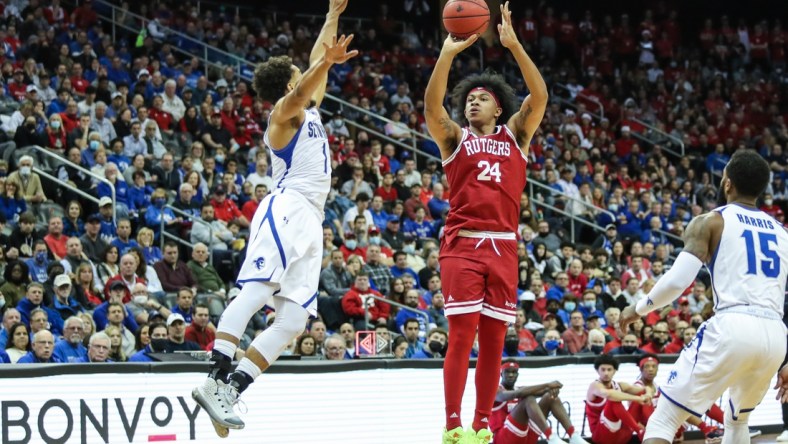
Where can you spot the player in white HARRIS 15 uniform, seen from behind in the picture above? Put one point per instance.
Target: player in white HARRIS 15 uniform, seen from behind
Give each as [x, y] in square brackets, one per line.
[742, 346]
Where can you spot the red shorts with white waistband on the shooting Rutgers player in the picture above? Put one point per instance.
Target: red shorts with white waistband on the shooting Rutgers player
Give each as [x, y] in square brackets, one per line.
[480, 275]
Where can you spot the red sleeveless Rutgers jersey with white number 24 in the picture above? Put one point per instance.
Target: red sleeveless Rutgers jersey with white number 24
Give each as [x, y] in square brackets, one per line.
[486, 176]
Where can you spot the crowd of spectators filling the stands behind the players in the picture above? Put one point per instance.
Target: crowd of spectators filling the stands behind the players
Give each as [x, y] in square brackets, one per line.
[634, 143]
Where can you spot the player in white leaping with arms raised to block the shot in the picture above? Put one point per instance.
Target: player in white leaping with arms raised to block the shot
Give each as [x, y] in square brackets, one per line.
[282, 263]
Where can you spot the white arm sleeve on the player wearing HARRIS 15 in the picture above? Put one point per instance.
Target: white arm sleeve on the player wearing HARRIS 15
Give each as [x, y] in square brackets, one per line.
[672, 284]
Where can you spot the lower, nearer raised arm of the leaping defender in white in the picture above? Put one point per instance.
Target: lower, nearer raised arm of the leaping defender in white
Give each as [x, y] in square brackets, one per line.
[294, 103]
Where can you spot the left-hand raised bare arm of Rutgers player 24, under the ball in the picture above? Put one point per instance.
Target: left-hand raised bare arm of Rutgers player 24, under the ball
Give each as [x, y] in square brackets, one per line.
[445, 131]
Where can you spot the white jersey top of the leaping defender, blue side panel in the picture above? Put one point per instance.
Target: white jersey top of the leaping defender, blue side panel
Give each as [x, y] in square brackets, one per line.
[303, 165]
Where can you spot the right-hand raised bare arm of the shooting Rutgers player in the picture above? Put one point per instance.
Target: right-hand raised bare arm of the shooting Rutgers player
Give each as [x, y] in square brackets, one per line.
[525, 121]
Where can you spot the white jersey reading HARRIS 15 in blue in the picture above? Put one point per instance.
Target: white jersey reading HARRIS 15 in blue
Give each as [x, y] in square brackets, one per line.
[750, 265]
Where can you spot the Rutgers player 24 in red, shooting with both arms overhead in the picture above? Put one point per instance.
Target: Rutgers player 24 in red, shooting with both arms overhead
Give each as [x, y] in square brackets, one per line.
[485, 163]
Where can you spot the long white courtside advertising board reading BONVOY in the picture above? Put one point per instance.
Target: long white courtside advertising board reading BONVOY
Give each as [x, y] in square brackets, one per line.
[365, 406]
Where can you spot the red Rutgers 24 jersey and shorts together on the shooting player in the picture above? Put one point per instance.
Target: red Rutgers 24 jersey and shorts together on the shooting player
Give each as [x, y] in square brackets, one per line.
[479, 250]
